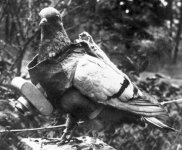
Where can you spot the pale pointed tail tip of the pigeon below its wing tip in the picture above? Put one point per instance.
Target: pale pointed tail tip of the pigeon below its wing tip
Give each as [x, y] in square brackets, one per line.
[159, 124]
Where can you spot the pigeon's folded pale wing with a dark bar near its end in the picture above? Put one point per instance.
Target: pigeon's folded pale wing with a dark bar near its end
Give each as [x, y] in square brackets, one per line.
[103, 84]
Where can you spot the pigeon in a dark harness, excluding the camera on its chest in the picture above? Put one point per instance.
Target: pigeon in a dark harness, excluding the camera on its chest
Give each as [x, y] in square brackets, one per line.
[82, 81]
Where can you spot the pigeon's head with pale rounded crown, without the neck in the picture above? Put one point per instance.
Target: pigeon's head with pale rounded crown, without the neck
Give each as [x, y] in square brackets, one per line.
[50, 16]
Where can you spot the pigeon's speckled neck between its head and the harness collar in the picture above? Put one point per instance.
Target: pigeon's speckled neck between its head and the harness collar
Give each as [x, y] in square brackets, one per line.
[53, 40]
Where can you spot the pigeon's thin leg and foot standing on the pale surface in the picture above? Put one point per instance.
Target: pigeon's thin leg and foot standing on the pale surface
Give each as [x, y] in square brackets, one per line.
[71, 125]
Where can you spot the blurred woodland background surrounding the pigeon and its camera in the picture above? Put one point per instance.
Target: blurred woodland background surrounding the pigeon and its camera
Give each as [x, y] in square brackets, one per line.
[142, 37]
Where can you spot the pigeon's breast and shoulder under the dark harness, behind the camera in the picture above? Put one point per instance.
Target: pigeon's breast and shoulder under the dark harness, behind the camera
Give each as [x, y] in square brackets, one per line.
[55, 77]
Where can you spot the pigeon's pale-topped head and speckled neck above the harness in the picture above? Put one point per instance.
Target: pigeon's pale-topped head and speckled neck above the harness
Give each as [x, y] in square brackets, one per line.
[54, 38]
